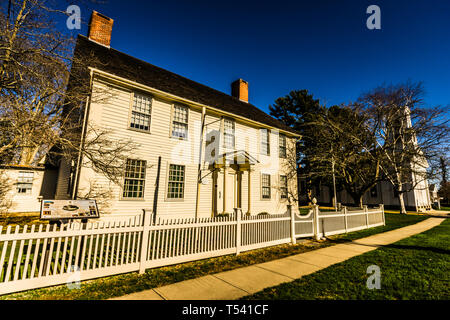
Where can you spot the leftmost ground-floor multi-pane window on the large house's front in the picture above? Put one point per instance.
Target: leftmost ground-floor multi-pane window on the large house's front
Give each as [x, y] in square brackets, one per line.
[134, 179]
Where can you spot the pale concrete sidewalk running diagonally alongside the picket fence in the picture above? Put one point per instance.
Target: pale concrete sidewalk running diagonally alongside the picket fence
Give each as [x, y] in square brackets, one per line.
[240, 282]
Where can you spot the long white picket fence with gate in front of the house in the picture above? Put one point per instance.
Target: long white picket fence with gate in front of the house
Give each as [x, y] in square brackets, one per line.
[45, 255]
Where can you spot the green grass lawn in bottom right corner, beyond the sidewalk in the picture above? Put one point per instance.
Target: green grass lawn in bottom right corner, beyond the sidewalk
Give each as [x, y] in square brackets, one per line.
[413, 268]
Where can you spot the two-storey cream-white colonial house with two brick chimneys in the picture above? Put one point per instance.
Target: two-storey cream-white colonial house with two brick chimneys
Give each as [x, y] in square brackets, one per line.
[199, 152]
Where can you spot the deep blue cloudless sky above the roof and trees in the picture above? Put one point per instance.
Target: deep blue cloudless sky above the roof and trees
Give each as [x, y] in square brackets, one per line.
[322, 45]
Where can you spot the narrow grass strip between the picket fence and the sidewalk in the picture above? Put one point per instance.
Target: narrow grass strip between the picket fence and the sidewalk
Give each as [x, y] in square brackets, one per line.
[120, 285]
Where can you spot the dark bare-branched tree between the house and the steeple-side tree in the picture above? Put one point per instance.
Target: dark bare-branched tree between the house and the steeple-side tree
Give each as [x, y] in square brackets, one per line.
[346, 146]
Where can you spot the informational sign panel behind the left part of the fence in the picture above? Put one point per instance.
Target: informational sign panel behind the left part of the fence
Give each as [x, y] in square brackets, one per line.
[69, 209]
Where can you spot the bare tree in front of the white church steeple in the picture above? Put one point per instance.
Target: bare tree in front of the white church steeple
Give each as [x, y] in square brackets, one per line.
[409, 136]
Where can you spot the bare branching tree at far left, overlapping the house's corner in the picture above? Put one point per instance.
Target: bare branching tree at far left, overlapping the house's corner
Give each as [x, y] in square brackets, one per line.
[45, 89]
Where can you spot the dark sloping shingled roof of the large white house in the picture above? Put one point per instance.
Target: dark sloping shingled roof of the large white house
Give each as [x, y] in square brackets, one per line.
[122, 65]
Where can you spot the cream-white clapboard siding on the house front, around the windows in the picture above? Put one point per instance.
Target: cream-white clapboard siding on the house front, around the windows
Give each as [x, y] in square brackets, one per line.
[113, 115]
